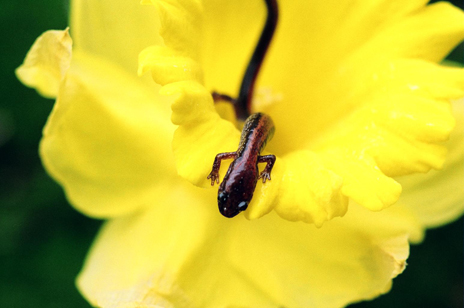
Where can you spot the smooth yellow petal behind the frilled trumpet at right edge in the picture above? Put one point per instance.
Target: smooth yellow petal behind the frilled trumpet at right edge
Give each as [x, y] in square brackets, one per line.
[437, 197]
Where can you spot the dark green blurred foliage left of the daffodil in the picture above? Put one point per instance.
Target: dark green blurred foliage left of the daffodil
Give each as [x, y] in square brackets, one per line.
[43, 240]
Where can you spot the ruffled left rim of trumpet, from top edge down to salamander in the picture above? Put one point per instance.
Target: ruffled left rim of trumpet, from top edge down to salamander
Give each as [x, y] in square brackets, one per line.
[193, 109]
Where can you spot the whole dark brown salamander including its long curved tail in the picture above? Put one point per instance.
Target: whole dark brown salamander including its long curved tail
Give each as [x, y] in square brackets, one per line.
[239, 183]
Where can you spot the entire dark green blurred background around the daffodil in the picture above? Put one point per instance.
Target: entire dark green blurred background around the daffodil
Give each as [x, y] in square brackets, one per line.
[43, 241]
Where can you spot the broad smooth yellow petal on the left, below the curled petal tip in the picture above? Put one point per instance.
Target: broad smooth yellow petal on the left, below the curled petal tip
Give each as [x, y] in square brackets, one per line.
[107, 141]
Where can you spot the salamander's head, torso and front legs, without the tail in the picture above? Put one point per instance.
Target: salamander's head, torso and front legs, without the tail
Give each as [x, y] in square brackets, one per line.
[239, 183]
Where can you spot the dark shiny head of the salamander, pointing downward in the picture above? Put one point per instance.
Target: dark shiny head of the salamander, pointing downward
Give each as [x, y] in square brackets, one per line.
[235, 193]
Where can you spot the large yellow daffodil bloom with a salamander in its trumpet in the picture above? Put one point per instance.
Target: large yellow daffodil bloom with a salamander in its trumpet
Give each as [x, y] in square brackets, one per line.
[362, 112]
